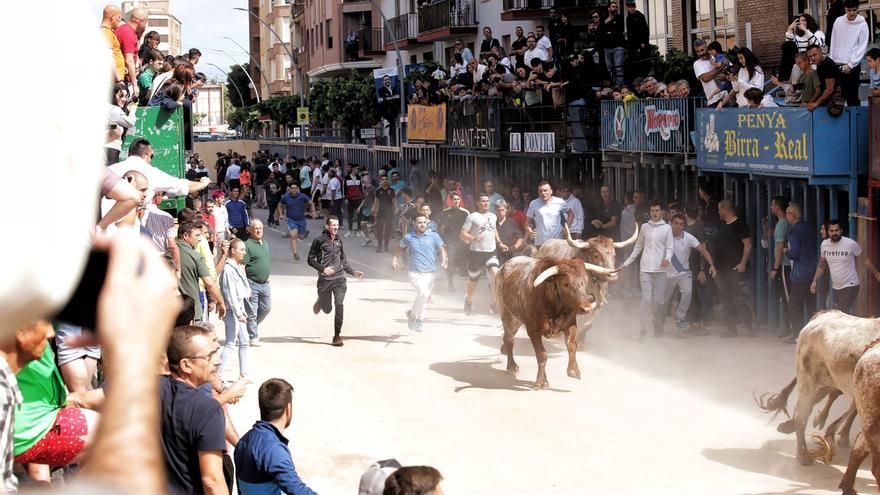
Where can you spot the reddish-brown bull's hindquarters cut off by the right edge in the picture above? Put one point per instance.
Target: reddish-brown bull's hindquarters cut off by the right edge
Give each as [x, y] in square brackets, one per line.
[866, 394]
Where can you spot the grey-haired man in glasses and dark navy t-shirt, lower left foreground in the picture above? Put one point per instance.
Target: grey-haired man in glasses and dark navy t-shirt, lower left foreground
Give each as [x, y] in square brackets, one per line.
[192, 422]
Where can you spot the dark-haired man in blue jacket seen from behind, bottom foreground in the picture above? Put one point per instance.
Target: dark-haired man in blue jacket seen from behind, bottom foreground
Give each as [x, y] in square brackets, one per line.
[262, 459]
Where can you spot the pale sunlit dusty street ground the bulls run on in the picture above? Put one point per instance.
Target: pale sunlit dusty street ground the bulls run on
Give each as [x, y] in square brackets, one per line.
[666, 416]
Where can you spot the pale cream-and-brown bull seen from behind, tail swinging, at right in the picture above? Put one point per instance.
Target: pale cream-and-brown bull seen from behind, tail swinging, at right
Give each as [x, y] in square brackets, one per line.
[828, 349]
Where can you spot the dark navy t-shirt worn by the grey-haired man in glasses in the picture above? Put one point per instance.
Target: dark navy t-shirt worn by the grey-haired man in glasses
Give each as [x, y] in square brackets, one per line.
[191, 422]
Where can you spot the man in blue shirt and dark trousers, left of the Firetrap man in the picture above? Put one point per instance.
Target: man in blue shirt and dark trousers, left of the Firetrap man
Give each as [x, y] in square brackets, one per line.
[803, 252]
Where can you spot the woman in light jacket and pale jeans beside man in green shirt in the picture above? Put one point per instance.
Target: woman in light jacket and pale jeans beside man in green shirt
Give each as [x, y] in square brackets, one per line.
[235, 289]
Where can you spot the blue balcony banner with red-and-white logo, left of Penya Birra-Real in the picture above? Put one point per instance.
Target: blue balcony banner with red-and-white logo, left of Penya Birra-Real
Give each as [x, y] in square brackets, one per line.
[649, 126]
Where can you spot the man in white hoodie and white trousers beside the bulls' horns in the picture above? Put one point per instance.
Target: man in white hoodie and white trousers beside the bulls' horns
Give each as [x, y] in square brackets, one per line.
[655, 246]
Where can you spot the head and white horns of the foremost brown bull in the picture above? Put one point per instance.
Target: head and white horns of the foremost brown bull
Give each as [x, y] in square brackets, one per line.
[577, 284]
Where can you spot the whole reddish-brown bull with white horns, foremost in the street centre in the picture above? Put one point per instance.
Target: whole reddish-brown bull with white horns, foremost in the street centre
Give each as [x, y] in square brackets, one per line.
[546, 295]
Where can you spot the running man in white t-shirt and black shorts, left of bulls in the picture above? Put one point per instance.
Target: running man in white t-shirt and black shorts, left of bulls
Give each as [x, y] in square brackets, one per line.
[479, 232]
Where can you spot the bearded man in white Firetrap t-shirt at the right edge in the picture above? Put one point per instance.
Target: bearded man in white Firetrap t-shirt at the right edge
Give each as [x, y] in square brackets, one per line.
[839, 255]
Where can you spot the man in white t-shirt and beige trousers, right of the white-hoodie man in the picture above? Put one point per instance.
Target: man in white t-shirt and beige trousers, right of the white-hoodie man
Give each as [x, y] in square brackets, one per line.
[678, 272]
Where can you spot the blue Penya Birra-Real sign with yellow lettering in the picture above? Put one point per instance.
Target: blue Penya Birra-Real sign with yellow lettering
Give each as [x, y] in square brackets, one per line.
[774, 141]
